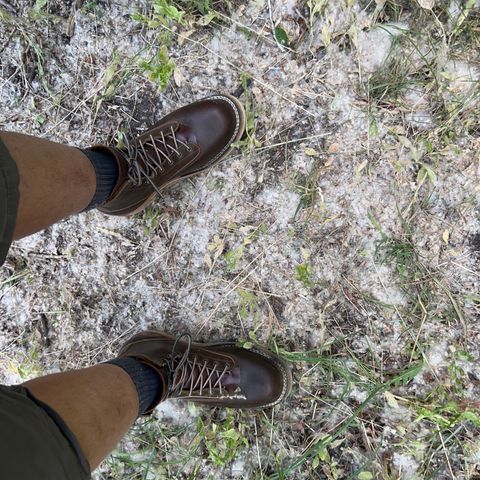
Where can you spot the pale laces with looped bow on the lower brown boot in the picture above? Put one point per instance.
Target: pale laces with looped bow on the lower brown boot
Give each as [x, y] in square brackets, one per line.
[190, 374]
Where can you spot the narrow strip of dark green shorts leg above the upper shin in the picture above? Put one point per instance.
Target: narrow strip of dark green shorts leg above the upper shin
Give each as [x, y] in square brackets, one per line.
[8, 200]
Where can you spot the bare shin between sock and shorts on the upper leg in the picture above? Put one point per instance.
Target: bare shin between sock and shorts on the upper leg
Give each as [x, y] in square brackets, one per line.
[55, 181]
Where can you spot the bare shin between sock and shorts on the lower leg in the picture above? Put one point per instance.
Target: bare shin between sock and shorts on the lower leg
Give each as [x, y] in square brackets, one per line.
[99, 404]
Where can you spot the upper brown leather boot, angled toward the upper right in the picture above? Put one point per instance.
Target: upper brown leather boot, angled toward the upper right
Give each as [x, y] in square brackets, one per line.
[185, 142]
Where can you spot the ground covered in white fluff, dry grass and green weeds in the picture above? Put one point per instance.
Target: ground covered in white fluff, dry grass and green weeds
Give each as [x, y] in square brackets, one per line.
[343, 232]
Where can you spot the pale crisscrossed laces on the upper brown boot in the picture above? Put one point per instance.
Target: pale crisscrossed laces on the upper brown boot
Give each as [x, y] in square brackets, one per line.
[148, 157]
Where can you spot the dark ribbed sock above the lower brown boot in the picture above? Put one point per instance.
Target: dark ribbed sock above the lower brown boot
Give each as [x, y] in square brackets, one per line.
[147, 381]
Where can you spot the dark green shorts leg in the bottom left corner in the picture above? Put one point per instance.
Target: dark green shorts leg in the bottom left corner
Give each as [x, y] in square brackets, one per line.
[35, 443]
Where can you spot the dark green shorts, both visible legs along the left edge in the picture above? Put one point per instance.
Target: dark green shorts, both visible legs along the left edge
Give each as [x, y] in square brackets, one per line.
[35, 443]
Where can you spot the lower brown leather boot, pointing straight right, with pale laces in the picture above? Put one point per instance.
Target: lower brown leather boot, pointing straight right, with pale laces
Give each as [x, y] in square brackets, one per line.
[218, 374]
